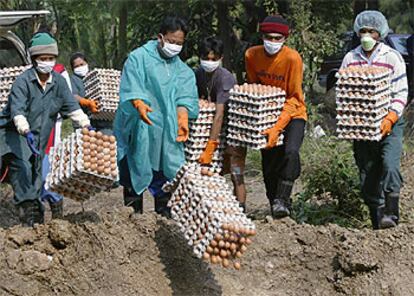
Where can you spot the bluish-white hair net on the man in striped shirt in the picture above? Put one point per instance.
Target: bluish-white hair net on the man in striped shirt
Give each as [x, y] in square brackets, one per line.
[372, 19]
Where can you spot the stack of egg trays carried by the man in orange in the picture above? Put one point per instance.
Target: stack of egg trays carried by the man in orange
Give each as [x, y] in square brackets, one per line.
[253, 108]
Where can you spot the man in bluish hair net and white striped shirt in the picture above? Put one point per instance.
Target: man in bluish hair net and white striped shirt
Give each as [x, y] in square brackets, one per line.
[379, 162]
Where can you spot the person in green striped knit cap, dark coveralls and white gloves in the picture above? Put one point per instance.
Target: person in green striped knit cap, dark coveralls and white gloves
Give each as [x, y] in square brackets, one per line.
[36, 98]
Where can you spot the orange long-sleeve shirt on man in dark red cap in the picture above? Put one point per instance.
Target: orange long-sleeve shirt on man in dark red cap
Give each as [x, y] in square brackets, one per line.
[284, 70]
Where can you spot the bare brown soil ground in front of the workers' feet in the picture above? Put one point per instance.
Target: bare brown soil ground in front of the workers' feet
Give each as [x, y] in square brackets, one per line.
[101, 248]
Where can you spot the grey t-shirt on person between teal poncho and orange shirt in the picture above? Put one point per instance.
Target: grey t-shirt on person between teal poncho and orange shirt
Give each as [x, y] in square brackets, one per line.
[216, 87]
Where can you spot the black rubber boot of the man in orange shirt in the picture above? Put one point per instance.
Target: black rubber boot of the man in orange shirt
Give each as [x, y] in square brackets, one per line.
[280, 206]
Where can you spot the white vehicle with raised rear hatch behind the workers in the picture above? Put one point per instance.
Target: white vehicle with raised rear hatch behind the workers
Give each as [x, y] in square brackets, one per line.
[13, 51]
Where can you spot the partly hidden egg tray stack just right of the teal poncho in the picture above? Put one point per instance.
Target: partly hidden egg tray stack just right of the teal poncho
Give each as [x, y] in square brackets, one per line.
[200, 133]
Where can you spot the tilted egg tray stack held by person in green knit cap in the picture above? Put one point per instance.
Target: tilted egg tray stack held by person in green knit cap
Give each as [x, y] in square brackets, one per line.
[83, 165]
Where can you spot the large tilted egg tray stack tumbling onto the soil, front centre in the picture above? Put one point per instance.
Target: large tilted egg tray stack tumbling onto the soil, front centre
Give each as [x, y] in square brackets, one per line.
[209, 215]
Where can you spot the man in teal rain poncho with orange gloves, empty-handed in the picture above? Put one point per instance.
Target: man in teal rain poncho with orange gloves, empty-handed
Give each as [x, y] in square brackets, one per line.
[157, 96]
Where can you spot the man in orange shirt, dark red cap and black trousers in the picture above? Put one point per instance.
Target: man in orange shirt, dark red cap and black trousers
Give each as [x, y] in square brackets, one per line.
[273, 63]
